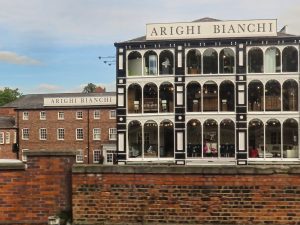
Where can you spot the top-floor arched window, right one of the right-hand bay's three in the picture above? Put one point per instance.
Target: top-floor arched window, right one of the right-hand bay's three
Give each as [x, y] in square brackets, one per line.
[290, 59]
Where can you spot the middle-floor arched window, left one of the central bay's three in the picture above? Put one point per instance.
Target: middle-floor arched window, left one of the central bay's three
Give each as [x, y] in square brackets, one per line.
[193, 97]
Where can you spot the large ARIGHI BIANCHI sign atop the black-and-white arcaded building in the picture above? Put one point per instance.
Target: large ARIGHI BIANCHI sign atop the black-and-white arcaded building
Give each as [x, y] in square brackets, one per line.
[215, 29]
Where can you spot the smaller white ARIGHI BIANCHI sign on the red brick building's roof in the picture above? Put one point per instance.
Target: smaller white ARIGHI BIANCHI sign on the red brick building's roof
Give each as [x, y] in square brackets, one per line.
[80, 101]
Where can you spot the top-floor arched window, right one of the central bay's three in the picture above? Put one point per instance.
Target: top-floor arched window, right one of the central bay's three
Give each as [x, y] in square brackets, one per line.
[226, 61]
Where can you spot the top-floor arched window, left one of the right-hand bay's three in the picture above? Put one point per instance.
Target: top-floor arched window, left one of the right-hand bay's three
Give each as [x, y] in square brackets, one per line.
[255, 60]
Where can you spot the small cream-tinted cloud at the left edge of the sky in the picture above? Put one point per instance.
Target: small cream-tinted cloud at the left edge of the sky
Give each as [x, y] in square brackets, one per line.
[14, 58]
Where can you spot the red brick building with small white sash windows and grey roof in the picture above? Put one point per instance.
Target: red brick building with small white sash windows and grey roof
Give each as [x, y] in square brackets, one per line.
[85, 122]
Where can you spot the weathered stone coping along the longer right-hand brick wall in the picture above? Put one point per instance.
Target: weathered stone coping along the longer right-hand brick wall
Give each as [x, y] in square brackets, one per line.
[204, 170]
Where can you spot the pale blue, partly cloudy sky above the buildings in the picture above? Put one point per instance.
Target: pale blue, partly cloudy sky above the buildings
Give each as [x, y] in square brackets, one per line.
[51, 46]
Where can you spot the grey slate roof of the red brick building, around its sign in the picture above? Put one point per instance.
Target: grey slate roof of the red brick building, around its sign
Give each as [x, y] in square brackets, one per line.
[36, 101]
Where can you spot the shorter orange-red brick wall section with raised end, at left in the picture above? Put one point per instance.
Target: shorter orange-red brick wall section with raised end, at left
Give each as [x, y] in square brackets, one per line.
[29, 196]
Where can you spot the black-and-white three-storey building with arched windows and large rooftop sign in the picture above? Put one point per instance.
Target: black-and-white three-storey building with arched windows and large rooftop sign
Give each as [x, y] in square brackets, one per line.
[209, 92]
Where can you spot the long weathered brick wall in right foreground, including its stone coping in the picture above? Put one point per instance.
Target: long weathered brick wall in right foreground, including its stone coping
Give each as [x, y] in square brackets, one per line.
[186, 195]
